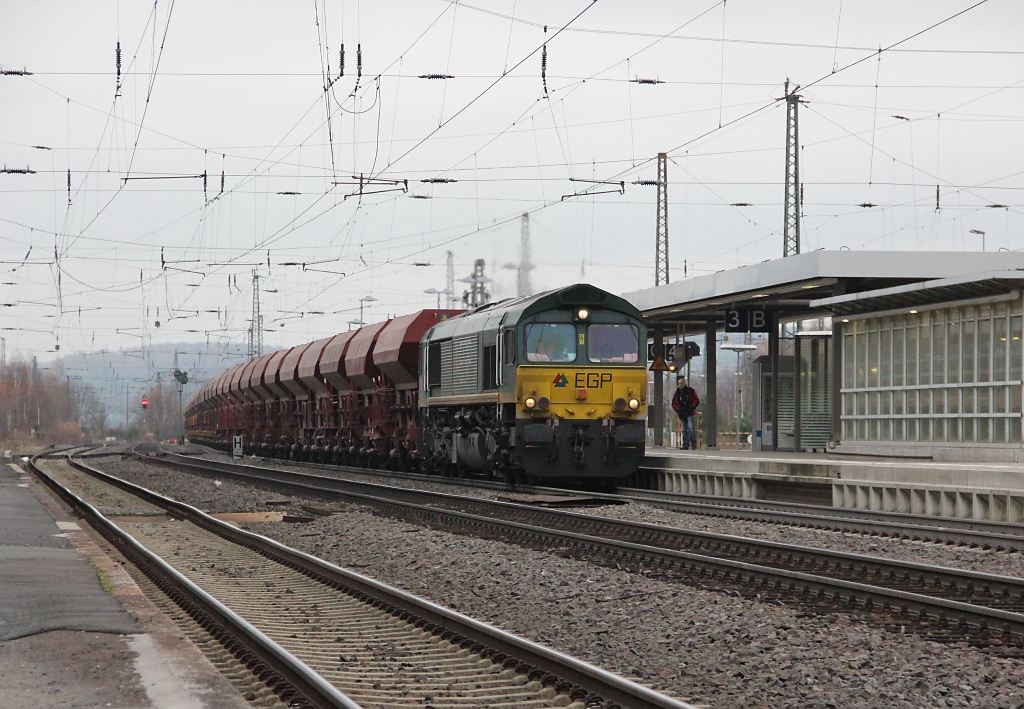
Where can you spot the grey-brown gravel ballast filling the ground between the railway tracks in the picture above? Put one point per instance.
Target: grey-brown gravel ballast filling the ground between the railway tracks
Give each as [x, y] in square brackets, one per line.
[709, 648]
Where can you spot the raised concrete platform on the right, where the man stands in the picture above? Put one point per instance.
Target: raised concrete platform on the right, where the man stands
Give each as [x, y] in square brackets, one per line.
[992, 491]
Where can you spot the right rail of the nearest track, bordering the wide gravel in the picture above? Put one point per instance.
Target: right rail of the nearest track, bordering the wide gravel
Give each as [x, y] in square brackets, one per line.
[600, 687]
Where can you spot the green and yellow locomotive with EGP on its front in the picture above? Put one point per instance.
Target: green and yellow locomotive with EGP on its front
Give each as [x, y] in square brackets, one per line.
[550, 387]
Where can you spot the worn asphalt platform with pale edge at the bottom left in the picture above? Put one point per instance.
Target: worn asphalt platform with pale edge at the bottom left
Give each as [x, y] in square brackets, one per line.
[75, 630]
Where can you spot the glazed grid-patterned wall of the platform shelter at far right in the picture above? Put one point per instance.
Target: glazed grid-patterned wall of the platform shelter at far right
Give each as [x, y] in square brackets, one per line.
[946, 376]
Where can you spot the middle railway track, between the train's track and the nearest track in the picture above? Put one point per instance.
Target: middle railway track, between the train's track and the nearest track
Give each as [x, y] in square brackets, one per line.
[943, 604]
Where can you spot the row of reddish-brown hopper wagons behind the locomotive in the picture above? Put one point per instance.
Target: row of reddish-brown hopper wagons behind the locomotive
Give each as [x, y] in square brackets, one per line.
[351, 399]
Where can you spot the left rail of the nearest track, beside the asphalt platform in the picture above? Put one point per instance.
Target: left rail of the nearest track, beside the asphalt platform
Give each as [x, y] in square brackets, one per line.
[289, 677]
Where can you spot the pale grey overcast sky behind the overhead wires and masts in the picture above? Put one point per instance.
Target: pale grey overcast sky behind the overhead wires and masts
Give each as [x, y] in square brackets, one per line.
[238, 90]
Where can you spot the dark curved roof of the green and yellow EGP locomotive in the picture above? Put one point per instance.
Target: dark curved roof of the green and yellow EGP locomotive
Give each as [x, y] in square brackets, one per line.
[511, 311]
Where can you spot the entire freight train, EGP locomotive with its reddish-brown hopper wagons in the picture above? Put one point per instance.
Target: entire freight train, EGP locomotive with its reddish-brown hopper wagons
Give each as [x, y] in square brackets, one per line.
[545, 388]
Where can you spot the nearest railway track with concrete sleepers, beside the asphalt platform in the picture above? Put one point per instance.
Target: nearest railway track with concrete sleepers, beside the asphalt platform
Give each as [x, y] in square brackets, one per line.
[322, 637]
